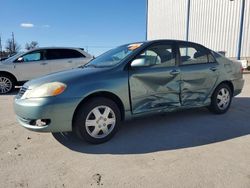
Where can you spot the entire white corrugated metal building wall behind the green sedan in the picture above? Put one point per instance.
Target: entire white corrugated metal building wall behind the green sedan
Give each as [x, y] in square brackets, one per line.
[213, 23]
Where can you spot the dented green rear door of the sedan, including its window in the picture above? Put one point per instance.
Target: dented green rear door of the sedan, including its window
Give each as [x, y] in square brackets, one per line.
[198, 74]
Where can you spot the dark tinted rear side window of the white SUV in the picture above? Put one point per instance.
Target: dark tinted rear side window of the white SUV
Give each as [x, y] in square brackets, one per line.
[63, 54]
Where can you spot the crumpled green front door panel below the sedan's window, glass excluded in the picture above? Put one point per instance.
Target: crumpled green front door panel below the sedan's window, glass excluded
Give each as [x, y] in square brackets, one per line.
[154, 89]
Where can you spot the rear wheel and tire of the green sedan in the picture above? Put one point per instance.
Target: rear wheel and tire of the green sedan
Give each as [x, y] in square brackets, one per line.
[221, 99]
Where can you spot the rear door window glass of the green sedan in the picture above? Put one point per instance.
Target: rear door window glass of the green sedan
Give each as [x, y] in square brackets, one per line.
[194, 54]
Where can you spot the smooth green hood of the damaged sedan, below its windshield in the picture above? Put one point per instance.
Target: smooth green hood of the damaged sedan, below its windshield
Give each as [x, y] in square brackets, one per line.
[67, 77]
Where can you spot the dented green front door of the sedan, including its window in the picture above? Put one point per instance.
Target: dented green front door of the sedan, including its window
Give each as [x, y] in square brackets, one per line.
[155, 83]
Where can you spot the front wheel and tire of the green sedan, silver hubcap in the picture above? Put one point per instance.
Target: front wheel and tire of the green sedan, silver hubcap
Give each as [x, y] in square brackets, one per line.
[97, 120]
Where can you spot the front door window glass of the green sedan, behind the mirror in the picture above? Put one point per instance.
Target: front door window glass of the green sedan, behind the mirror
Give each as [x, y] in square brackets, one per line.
[159, 55]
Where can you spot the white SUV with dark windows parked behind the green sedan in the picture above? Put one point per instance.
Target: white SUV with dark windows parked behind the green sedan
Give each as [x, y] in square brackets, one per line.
[41, 61]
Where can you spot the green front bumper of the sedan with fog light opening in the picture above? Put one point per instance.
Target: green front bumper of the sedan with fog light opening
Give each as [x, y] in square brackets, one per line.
[58, 111]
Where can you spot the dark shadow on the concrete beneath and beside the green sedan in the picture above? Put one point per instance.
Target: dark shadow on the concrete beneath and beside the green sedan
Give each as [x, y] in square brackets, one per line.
[176, 130]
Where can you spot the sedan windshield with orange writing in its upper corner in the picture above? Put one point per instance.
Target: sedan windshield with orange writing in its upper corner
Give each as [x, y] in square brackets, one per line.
[114, 56]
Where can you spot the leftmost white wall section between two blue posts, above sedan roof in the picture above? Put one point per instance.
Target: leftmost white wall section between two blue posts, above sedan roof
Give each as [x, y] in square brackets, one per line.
[164, 17]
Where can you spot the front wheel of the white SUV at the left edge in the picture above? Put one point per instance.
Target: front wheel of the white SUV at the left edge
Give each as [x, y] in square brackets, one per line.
[7, 83]
